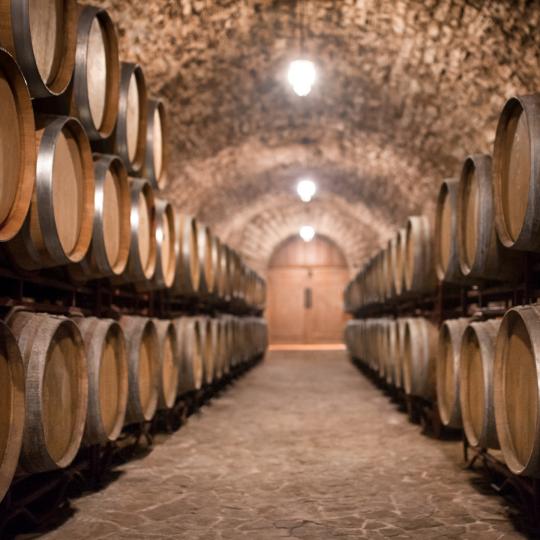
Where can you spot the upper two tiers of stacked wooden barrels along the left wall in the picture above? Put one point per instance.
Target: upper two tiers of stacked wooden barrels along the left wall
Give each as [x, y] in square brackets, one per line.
[85, 161]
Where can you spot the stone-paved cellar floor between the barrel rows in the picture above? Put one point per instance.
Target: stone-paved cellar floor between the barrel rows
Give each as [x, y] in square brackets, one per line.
[302, 447]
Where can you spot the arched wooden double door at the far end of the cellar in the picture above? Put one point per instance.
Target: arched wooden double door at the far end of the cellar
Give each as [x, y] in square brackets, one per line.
[305, 290]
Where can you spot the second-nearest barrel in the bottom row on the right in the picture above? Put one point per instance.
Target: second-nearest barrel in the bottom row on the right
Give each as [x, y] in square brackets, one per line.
[476, 373]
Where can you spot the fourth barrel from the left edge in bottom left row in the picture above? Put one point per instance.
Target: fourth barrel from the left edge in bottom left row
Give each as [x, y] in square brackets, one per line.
[144, 368]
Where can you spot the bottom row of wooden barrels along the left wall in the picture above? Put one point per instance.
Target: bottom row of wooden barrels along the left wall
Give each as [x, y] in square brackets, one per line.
[72, 382]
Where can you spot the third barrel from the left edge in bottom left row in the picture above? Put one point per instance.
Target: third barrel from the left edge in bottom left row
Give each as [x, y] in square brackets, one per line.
[107, 362]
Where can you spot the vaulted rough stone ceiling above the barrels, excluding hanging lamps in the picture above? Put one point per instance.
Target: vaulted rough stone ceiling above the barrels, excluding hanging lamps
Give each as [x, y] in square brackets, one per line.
[406, 89]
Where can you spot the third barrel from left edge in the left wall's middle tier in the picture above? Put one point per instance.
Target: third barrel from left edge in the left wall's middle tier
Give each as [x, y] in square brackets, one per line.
[109, 248]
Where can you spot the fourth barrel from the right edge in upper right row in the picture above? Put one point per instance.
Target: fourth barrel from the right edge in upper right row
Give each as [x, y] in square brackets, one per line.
[419, 264]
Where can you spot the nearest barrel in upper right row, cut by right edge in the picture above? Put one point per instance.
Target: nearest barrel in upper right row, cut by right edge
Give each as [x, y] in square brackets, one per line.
[516, 173]
